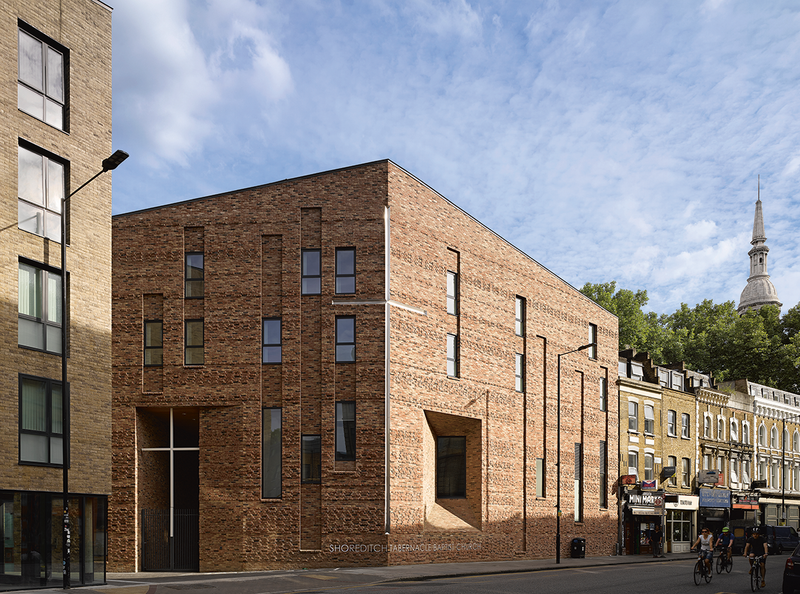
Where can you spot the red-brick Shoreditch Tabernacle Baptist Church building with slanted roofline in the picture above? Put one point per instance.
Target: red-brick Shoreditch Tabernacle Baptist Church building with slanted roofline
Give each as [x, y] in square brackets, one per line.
[347, 369]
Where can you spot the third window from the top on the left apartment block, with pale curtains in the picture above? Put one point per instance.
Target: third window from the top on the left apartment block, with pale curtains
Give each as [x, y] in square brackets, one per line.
[40, 319]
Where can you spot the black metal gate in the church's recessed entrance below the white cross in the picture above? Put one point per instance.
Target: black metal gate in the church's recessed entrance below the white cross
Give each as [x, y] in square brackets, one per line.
[160, 552]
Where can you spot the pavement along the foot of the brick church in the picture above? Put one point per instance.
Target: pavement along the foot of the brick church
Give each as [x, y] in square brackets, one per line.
[146, 581]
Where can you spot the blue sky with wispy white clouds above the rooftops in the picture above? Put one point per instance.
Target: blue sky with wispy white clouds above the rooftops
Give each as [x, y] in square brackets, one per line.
[608, 140]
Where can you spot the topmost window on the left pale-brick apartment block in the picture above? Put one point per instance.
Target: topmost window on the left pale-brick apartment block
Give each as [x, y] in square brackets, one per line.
[41, 88]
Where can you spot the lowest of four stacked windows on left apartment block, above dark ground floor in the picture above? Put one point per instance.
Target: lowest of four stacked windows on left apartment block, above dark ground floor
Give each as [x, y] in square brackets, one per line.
[40, 416]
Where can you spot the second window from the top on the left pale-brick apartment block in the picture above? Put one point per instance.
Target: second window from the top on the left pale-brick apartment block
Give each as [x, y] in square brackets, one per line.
[40, 183]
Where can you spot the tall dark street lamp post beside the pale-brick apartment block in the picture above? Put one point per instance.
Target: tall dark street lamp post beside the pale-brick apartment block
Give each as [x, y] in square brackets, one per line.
[109, 164]
